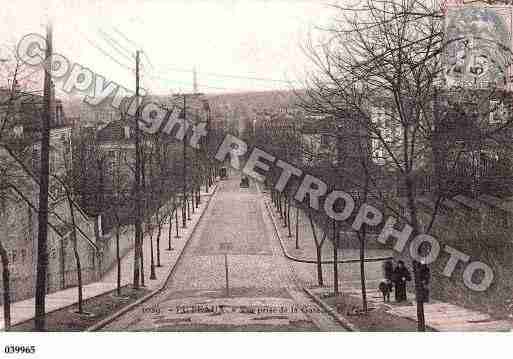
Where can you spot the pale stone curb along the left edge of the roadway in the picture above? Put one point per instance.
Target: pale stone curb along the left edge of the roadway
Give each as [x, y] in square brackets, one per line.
[131, 306]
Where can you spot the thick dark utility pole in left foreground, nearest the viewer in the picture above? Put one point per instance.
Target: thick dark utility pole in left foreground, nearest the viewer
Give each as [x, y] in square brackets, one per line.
[42, 234]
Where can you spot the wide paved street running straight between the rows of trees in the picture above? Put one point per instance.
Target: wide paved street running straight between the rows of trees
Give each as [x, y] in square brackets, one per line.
[264, 290]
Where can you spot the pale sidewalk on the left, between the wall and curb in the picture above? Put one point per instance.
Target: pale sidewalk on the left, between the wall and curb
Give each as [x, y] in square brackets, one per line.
[24, 310]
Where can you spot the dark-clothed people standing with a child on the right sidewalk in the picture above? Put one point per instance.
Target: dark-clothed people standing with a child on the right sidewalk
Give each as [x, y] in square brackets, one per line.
[395, 276]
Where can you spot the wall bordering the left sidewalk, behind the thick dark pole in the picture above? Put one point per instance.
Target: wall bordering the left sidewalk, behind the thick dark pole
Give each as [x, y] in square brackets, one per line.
[19, 228]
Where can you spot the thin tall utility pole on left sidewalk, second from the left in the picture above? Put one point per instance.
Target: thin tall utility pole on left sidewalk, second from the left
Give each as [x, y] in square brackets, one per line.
[138, 215]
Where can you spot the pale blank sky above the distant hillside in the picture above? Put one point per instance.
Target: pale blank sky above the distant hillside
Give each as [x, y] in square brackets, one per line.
[235, 45]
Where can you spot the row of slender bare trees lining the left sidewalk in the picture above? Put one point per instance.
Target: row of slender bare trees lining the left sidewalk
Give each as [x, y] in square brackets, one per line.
[98, 182]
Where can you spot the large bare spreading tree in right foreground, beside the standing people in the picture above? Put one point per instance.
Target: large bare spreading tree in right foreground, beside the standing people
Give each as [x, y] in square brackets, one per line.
[384, 61]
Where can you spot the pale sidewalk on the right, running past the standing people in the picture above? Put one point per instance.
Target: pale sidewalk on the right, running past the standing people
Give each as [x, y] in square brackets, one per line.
[440, 316]
